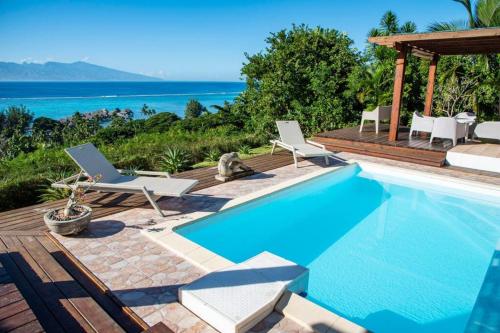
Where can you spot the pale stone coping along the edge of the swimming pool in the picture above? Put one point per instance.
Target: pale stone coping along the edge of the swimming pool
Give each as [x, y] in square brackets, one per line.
[293, 306]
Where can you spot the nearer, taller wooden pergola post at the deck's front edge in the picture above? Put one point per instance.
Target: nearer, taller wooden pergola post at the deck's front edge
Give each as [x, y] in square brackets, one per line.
[398, 91]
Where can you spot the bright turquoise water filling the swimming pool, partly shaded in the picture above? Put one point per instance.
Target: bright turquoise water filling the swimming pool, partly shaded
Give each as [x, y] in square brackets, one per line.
[390, 257]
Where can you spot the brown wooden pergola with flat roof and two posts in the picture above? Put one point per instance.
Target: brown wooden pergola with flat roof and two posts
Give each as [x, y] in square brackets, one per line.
[431, 46]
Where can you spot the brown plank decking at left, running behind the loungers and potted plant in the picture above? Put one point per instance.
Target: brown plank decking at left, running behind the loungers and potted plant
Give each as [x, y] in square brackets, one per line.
[44, 288]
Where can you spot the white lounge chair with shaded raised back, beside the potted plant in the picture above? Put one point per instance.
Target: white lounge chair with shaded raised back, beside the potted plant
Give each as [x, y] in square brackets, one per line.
[92, 163]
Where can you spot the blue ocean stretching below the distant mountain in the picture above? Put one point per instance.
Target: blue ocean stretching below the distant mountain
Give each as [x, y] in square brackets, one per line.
[62, 99]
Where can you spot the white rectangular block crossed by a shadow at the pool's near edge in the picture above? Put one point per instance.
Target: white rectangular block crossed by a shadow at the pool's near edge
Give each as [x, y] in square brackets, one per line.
[235, 299]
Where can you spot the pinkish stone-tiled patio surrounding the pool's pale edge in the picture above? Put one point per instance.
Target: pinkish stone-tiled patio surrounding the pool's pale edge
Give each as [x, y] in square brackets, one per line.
[145, 276]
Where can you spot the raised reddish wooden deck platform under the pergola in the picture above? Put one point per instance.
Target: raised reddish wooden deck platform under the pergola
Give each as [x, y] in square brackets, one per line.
[417, 150]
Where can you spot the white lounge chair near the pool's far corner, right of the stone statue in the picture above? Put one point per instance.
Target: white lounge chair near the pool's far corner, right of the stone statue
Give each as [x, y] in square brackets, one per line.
[292, 139]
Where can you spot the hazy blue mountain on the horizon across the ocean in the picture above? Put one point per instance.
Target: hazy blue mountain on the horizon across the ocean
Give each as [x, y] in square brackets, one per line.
[58, 71]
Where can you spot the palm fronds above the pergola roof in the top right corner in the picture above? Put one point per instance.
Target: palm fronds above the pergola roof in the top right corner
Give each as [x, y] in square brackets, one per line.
[480, 14]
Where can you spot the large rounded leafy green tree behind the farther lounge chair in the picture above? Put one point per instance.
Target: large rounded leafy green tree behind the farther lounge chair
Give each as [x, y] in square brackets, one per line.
[303, 75]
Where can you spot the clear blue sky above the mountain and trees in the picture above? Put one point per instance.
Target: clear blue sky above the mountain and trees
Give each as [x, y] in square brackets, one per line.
[184, 39]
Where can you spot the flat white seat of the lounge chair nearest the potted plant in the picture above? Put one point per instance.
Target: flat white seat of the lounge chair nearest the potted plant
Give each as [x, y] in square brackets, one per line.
[174, 187]
